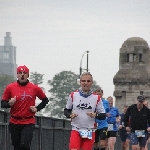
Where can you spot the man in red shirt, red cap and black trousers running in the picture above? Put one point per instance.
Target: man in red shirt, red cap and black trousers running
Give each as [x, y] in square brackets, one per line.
[20, 97]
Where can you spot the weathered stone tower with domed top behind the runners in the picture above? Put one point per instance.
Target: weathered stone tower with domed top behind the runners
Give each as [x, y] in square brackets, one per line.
[133, 77]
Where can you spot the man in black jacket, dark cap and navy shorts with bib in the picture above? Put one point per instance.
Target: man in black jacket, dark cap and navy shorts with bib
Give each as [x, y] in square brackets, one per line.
[137, 121]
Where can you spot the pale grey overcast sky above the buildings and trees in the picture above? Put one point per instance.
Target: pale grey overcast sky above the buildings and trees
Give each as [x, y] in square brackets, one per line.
[52, 35]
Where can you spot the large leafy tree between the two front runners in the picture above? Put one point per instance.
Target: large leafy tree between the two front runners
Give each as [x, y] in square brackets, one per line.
[62, 85]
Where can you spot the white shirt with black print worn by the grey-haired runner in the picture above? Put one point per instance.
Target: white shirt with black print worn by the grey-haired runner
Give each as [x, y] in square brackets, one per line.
[80, 106]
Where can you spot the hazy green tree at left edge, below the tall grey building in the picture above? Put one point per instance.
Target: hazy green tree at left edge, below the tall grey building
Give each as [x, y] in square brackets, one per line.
[4, 81]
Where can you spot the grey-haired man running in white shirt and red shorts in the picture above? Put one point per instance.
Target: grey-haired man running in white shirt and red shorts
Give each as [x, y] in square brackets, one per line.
[82, 107]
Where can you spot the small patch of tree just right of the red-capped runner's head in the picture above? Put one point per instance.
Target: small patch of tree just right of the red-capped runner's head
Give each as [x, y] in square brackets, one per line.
[36, 78]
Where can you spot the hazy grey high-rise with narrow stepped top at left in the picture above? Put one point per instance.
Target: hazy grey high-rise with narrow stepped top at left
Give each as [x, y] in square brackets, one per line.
[8, 57]
